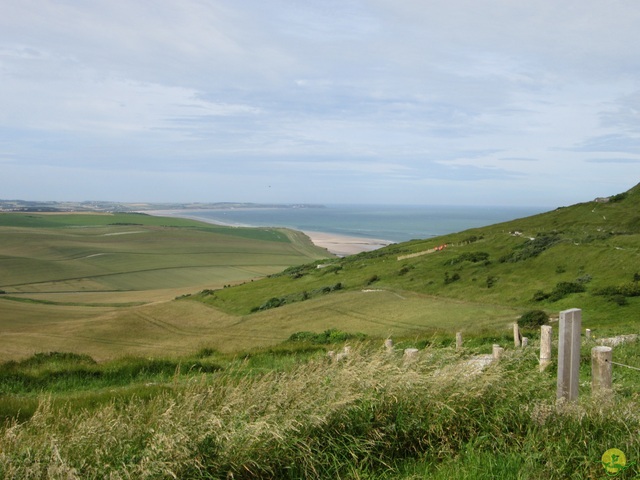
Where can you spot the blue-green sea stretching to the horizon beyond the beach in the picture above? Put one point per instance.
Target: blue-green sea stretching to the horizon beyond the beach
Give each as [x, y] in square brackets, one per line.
[383, 222]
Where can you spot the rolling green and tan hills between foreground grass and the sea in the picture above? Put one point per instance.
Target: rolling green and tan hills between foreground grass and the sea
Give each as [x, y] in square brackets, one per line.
[104, 284]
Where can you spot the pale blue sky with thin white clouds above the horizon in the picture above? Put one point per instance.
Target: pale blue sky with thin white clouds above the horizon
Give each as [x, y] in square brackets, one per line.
[449, 102]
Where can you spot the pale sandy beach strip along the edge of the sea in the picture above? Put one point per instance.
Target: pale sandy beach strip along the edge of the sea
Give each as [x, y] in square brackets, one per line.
[340, 245]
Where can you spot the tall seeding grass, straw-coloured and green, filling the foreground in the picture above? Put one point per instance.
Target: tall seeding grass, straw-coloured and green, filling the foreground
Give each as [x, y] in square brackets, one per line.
[371, 416]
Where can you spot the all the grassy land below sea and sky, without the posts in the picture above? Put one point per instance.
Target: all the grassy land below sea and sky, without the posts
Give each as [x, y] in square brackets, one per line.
[133, 357]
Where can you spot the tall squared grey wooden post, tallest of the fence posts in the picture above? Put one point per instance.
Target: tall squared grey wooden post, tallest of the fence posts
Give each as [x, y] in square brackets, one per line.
[569, 354]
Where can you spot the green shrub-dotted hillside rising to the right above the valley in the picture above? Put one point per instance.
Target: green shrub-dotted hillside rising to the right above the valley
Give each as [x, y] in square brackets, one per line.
[585, 256]
